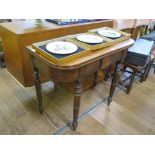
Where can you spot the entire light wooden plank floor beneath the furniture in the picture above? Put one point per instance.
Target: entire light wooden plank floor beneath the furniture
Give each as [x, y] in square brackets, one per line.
[127, 114]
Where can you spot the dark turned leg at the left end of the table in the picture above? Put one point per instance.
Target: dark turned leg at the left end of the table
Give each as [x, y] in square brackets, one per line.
[38, 89]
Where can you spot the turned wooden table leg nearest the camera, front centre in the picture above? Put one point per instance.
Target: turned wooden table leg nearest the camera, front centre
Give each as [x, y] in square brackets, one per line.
[76, 107]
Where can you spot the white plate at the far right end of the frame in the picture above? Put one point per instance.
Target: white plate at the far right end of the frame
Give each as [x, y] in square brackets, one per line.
[109, 33]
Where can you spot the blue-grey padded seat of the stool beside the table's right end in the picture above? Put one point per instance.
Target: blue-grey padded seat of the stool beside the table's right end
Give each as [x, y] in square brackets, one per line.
[139, 53]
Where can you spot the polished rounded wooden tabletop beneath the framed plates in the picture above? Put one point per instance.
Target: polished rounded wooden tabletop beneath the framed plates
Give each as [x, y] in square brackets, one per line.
[91, 56]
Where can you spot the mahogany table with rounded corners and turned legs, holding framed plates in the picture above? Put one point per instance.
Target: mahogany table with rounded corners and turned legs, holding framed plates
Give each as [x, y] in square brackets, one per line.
[75, 71]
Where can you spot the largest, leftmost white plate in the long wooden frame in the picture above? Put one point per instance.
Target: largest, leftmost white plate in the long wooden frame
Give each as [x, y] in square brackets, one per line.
[61, 47]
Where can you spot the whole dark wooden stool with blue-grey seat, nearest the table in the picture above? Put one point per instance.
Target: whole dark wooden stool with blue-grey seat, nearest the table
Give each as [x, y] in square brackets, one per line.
[139, 60]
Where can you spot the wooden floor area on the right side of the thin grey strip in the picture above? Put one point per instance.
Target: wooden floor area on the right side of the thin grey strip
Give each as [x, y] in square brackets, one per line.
[127, 114]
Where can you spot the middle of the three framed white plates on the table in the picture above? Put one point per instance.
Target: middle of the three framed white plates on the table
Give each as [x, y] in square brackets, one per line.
[88, 38]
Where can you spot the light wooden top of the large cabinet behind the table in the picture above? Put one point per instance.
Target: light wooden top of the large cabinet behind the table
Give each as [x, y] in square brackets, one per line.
[29, 26]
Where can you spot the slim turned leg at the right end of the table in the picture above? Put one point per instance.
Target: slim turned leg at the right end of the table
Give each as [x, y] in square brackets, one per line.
[113, 84]
